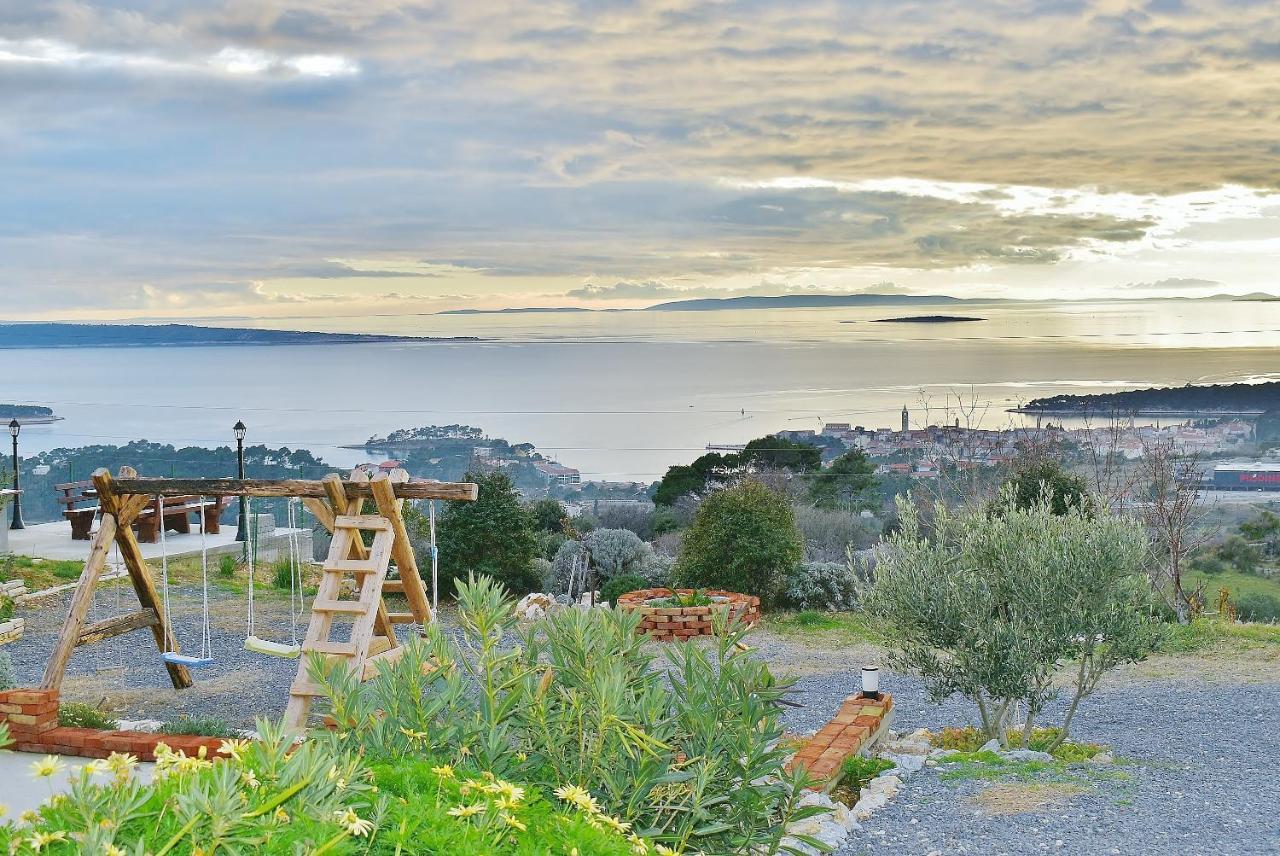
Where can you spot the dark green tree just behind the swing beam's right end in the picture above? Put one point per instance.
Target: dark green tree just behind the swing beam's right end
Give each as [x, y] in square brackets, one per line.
[493, 535]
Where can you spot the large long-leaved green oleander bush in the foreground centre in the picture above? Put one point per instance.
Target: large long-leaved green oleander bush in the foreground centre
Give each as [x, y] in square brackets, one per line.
[685, 750]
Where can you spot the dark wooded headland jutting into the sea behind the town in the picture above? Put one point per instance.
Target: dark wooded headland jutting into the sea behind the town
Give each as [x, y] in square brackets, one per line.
[1215, 400]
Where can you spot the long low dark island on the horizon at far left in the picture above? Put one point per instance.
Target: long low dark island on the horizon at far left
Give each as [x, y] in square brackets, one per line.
[147, 336]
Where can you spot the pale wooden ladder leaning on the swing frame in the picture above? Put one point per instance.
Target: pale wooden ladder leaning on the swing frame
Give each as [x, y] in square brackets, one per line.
[373, 637]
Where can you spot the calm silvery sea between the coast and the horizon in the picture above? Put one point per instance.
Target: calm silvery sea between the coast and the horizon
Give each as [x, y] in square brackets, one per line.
[625, 395]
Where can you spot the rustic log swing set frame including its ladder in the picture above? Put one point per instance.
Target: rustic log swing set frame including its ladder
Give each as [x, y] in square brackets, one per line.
[339, 505]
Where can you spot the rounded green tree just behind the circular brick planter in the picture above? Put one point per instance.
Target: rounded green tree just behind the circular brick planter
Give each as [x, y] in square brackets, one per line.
[743, 539]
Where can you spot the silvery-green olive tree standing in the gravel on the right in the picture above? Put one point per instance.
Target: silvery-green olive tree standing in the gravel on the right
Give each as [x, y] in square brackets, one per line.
[999, 606]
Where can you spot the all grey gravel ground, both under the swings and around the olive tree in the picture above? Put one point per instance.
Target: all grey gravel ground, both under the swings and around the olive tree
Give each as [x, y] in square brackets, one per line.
[1200, 768]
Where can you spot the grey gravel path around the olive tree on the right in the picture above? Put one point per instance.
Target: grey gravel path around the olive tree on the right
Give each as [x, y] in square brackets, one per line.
[1203, 780]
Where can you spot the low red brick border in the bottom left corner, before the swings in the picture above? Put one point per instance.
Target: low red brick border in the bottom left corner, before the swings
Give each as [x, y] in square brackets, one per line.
[33, 720]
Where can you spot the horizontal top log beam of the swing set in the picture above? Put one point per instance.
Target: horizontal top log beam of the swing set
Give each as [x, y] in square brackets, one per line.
[414, 489]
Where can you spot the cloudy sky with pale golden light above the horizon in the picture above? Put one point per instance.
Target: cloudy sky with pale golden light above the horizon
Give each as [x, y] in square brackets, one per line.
[258, 158]
